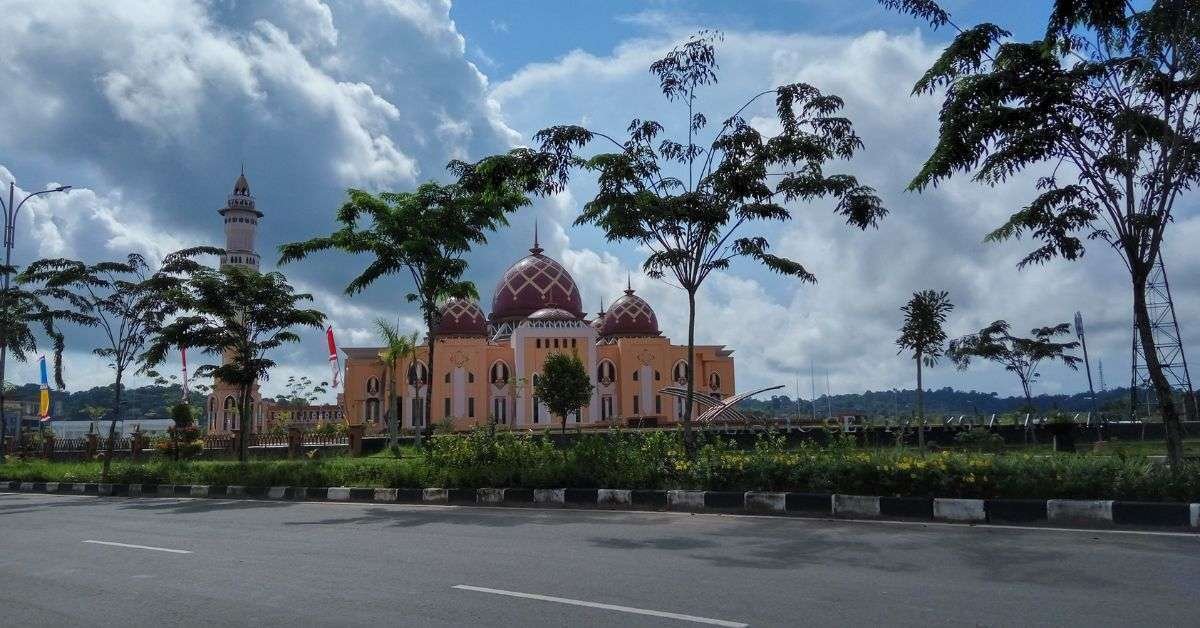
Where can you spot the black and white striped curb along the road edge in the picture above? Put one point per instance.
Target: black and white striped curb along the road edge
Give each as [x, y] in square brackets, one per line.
[1060, 512]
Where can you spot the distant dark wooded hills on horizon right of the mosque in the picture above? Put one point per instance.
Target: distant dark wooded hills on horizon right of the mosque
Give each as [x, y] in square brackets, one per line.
[943, 402]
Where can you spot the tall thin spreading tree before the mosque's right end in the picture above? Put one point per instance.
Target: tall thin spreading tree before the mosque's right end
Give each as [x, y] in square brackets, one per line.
[689, 201]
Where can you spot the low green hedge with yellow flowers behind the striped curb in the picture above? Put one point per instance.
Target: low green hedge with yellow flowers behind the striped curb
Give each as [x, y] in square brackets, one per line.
[657, 460]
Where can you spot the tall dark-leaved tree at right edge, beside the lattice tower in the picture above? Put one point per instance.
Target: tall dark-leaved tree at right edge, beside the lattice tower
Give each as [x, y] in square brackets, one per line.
[1108, 104]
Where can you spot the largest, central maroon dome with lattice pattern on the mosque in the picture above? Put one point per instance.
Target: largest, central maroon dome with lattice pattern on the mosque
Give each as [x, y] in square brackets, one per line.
[532, 284]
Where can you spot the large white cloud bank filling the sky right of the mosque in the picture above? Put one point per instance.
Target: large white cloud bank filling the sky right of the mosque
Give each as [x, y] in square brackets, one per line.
[848, 322]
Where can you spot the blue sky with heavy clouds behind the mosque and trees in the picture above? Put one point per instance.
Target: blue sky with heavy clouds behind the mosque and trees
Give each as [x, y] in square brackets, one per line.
[148, 109]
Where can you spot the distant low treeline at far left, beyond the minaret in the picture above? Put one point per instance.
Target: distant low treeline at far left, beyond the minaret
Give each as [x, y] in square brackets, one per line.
[143, 403]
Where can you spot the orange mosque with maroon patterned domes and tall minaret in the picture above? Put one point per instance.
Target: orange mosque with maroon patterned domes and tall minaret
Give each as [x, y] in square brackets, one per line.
[488, 363]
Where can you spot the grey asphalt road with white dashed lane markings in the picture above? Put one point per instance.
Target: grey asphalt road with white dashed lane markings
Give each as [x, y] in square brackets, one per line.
[88, 561]
